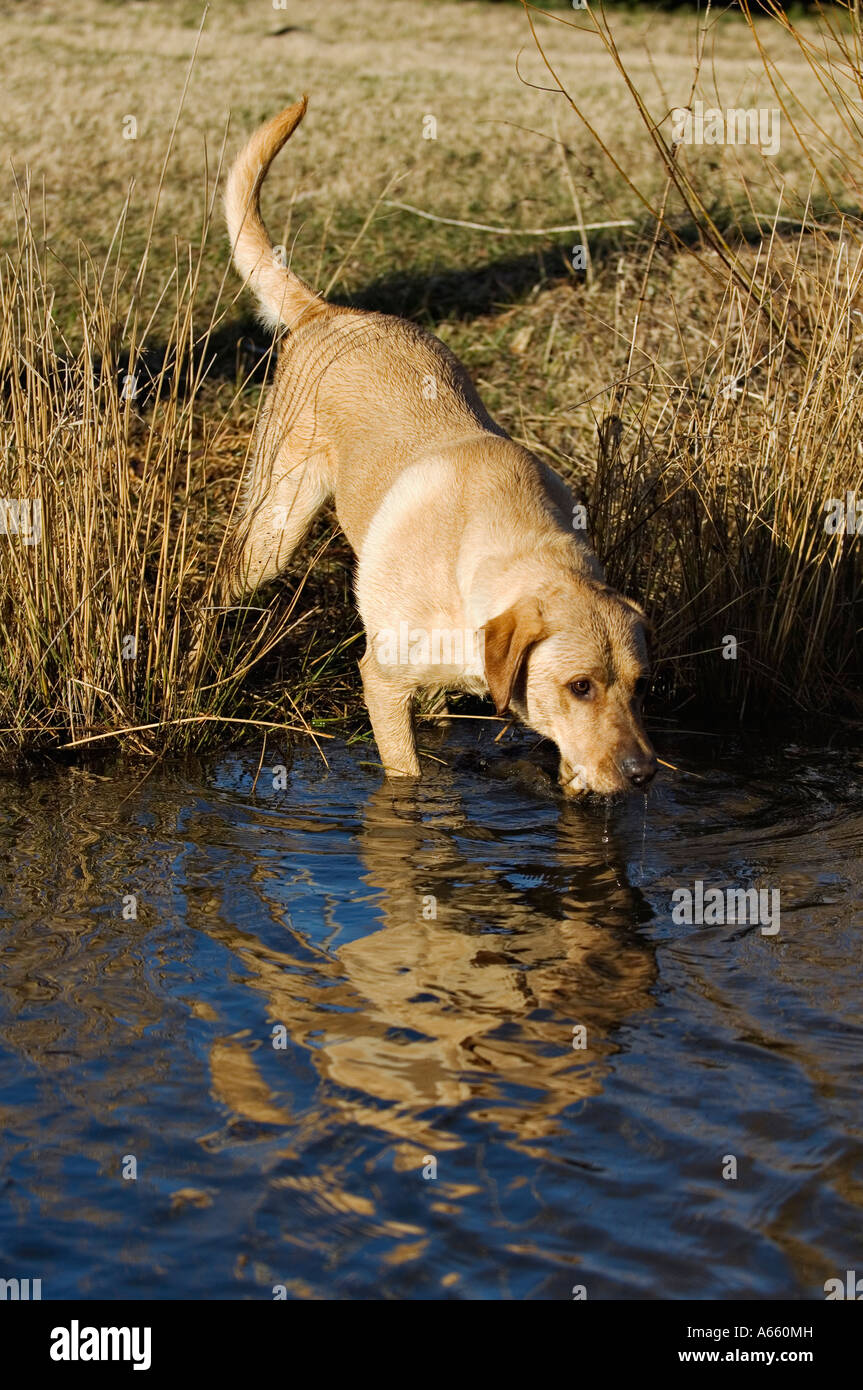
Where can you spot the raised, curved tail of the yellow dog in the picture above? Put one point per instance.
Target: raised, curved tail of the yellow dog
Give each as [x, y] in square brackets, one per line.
[283, 295]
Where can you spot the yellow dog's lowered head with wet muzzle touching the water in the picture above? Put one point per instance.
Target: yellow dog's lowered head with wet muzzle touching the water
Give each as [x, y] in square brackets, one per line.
[573, 665]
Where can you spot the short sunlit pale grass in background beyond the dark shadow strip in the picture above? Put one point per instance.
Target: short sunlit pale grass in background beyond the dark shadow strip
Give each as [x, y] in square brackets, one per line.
[376, 70]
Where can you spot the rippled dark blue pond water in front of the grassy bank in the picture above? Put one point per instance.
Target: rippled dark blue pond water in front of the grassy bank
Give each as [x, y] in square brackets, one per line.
[441, 1042]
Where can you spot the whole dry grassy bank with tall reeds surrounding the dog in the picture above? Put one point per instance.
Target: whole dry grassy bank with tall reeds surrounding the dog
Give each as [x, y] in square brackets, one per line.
[698, 380]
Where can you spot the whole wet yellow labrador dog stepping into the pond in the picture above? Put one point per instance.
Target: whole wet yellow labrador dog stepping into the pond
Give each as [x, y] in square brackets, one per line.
[469, 572]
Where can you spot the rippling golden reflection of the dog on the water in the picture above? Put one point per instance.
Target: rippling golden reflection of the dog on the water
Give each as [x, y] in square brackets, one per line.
[465, 989]
